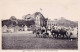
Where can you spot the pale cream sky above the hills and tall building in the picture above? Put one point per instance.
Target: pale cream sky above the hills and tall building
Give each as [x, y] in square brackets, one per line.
[52, 9]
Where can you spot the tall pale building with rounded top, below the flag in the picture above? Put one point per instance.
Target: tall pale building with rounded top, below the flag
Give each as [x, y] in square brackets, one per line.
[39, 19]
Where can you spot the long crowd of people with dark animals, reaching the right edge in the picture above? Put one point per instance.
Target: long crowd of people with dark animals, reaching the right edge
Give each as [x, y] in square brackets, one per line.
[57, 30]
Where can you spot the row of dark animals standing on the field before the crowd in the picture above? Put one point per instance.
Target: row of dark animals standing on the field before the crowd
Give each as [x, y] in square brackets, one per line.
[55, 33]
